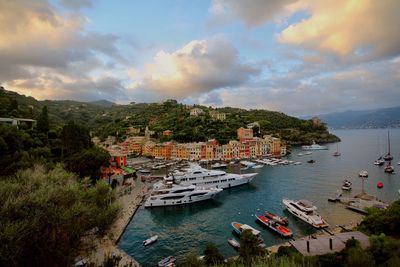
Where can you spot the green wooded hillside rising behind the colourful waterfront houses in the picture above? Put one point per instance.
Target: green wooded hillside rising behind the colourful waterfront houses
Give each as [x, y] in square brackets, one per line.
[105, 120]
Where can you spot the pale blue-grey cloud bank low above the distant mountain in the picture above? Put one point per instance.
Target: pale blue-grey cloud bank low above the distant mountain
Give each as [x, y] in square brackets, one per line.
[359, 87]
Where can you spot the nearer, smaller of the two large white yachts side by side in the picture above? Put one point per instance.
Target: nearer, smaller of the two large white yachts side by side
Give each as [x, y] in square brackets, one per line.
[178, 195]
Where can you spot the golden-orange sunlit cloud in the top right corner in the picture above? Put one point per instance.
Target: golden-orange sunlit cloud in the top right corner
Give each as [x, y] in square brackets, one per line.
[363, 29]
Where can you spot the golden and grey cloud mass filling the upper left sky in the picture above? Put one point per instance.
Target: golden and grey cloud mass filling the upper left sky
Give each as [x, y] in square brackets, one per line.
[49, 55]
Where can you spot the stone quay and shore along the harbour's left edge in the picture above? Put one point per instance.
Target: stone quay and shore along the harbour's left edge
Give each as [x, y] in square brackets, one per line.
[97, 249]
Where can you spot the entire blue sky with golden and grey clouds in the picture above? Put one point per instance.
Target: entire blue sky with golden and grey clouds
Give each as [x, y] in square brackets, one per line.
[300, 57]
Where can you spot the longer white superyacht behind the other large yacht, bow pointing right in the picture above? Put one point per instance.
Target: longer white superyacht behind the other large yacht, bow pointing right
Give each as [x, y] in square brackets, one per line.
[198, 176]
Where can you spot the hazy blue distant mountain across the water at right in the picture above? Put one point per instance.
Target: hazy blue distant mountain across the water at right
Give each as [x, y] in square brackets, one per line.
[376, 118]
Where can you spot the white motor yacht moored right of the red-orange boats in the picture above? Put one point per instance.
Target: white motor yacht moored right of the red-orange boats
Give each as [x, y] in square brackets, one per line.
[306, 211]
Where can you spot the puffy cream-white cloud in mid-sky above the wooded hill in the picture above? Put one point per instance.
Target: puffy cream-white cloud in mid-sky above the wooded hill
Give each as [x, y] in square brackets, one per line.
[198, 67]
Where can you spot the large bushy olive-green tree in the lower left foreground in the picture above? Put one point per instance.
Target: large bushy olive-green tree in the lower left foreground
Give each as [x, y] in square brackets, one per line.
[44, 215]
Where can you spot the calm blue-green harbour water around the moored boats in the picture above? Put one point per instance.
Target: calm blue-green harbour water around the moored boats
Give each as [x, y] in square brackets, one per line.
[189, 229]
